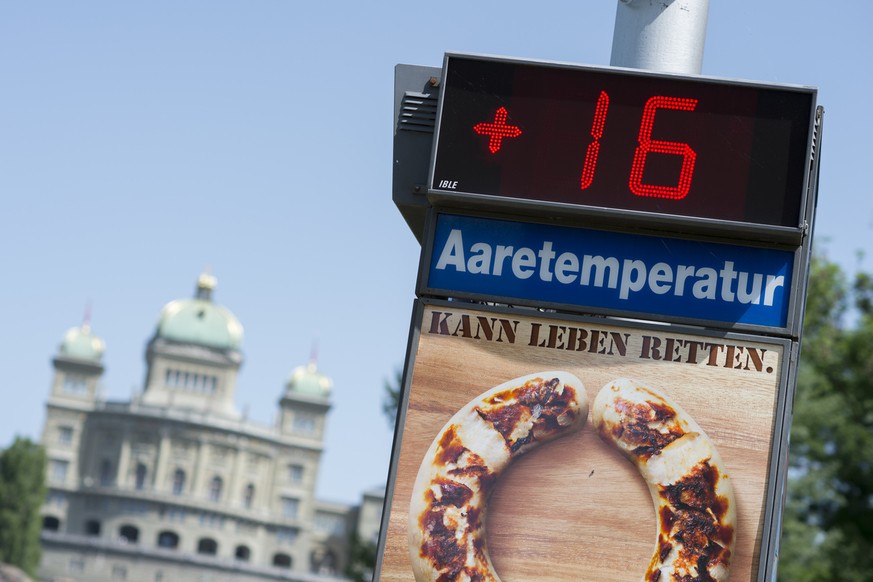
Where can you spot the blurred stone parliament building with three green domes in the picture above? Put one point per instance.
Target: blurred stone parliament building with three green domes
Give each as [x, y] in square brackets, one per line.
[175, 484]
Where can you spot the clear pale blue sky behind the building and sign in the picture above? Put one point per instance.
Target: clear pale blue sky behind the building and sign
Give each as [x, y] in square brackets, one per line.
[142, 142]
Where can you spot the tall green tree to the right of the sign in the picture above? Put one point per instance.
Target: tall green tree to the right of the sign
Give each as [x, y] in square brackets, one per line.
[828, 521]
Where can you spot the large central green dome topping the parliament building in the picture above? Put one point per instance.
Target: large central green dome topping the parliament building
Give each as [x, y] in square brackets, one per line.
[200, 321]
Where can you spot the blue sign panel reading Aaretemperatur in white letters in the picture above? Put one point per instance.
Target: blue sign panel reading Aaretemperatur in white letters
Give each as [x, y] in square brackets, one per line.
[538, 263]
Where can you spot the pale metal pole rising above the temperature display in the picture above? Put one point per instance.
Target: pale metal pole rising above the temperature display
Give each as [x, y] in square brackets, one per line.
[660, 35]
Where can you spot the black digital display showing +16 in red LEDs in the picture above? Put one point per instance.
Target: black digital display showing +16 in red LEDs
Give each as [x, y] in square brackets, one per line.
[618, 139]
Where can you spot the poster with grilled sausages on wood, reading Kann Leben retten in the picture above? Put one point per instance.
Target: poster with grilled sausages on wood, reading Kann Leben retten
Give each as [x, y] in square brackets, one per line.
[574, 507]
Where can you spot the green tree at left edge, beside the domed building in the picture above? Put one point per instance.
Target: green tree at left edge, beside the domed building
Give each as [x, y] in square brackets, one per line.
[22, 491]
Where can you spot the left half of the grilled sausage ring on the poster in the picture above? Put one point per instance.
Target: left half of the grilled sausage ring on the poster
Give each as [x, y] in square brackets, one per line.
[462, 465]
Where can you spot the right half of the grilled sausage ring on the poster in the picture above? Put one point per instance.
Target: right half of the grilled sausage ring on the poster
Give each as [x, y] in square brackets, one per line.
[692, 494]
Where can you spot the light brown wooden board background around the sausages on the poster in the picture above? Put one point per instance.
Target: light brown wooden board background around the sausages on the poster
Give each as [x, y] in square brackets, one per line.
[574, 508]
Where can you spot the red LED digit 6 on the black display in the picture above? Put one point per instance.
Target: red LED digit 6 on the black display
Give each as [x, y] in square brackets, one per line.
[649, 145]
